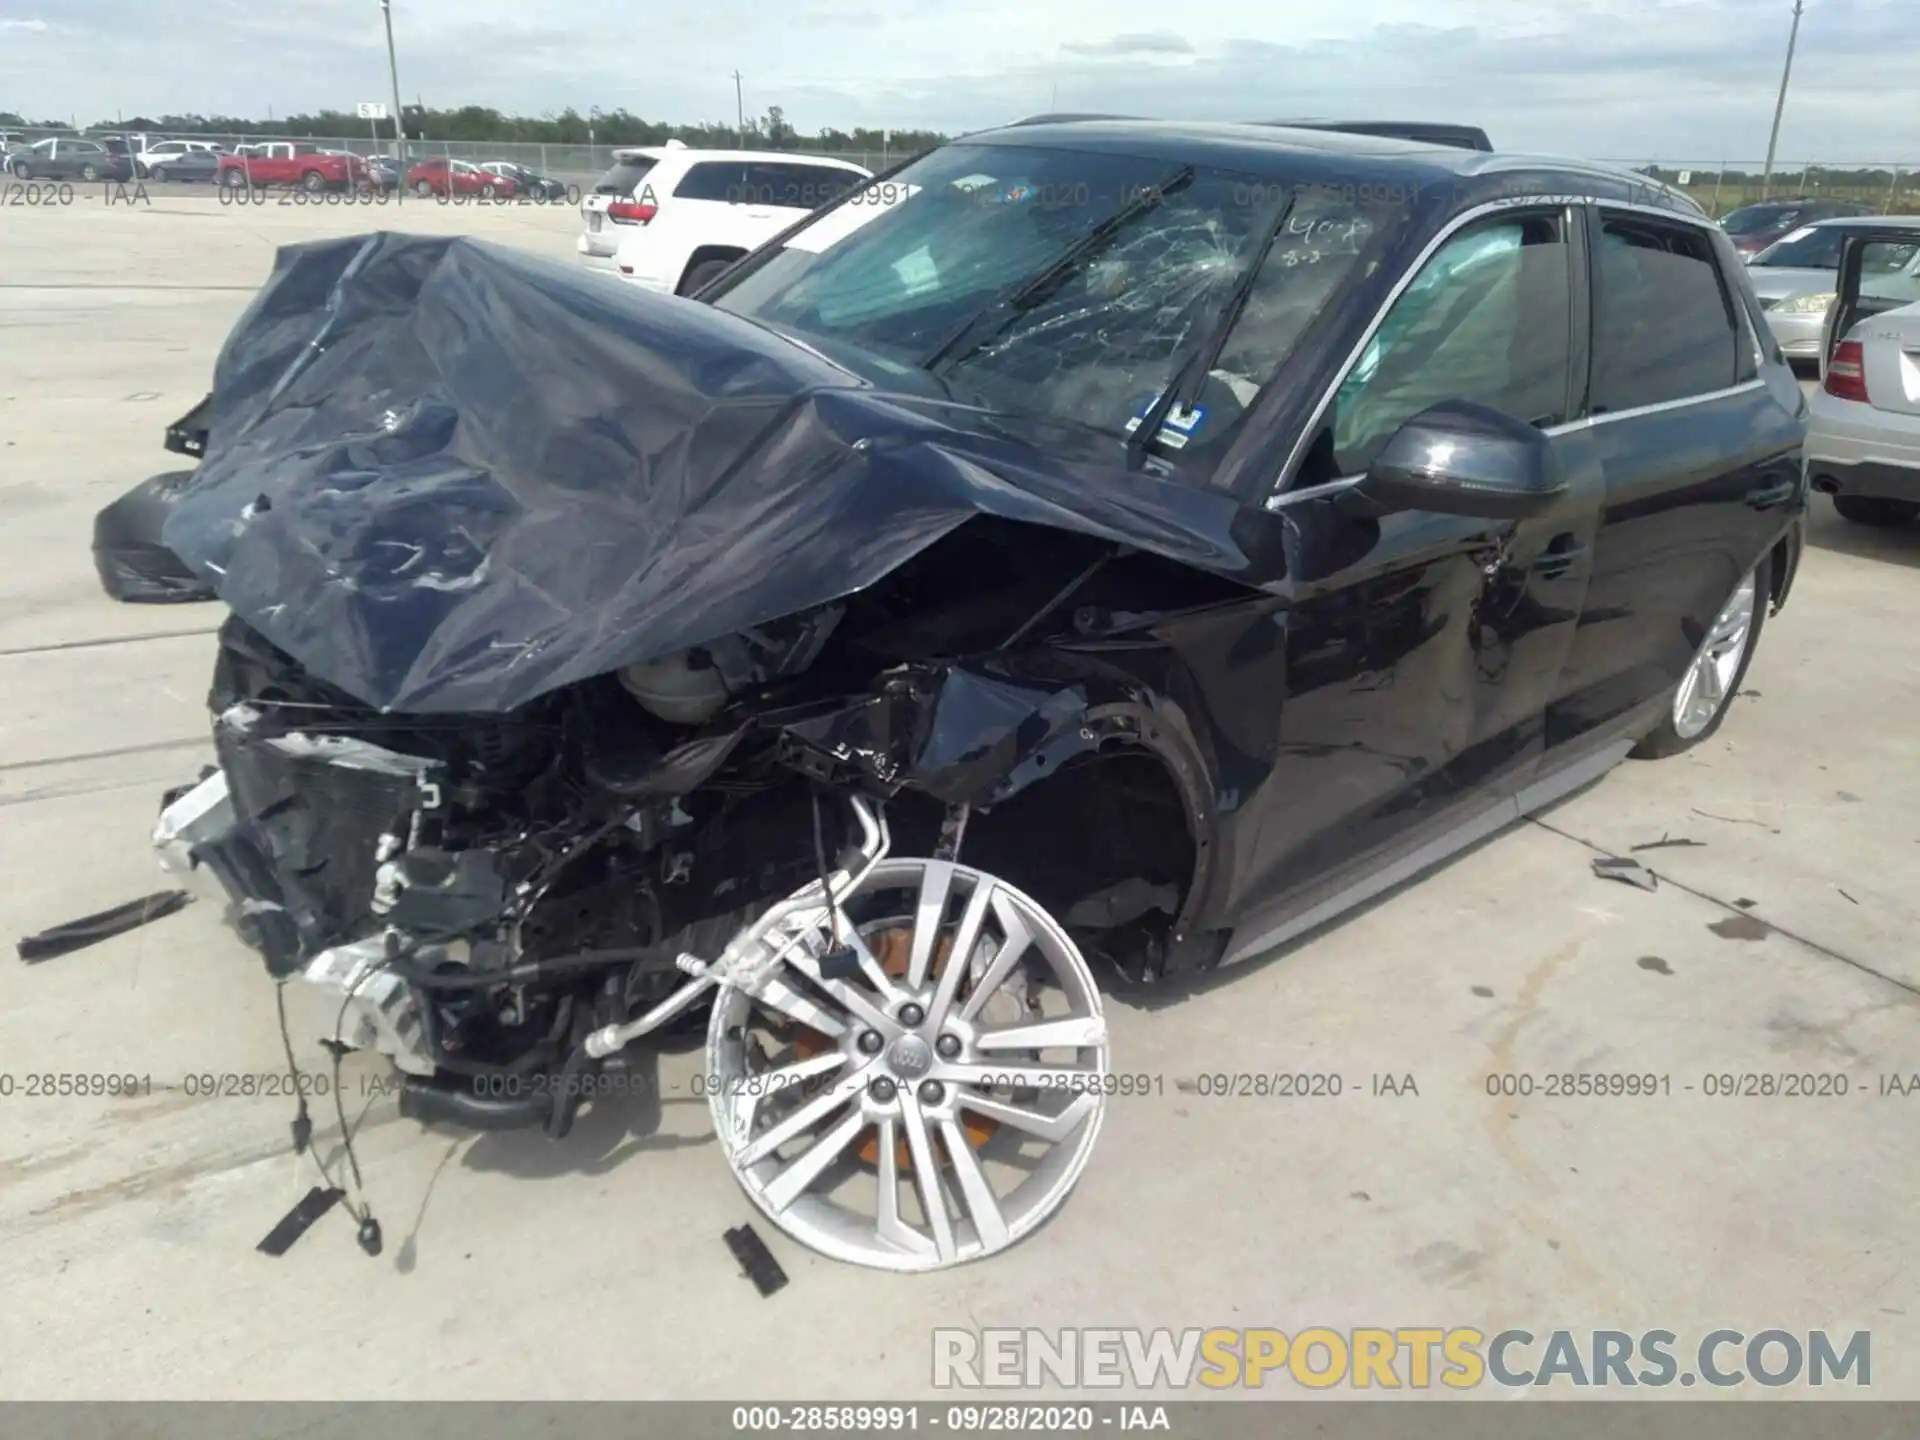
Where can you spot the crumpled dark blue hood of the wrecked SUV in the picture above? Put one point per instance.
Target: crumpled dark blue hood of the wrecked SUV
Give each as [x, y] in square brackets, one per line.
[448, 477]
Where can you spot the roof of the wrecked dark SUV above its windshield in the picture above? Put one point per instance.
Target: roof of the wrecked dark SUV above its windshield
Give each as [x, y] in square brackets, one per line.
[1262, 149]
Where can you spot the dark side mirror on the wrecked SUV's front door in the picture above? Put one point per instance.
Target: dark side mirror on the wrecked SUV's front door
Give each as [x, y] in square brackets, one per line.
[1466, 460]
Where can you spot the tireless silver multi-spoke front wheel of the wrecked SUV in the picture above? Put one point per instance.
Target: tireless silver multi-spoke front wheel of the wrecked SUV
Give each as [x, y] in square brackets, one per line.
[934, 1095]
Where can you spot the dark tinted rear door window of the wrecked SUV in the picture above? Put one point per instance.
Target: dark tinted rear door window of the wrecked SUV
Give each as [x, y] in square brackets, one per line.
[1664, 327]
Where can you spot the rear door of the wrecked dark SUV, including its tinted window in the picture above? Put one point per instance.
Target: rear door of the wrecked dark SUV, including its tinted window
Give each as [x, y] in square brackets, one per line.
[1698, 439]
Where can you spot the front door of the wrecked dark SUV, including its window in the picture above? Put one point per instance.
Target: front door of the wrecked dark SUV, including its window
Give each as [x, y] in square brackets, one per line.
[1422, 650]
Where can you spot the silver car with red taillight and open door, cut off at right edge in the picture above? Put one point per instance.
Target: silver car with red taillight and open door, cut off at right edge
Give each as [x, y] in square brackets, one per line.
[1863, 439]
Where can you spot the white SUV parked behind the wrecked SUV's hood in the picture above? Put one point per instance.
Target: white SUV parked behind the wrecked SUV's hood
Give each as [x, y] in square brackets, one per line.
[673, 218]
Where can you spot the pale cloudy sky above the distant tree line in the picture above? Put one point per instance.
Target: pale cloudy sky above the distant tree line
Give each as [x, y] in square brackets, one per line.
[1618, 80]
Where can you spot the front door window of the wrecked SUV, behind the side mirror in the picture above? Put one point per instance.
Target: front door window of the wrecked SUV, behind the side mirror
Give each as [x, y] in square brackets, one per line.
[1487, 320]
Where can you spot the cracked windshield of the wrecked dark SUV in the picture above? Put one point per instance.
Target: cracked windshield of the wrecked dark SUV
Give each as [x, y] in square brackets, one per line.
[1076, 285]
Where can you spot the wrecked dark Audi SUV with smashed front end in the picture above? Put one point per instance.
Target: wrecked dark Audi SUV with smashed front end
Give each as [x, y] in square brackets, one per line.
[1090, 556]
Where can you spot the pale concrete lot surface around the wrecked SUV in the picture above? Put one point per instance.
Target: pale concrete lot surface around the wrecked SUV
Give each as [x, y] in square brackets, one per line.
[1783, 944]
